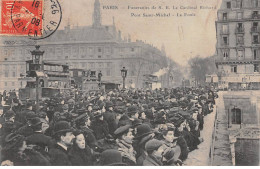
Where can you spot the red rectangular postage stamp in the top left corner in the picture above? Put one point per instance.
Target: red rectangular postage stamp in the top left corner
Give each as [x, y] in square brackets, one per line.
[21, 17]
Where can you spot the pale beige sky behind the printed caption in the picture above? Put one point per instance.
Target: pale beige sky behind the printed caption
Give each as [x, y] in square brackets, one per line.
[183, 37]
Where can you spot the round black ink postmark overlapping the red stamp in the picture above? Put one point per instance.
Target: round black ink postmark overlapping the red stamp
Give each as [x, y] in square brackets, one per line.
[37, 19]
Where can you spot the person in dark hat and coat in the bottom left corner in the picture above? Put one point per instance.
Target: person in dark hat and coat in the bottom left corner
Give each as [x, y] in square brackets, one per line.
[16, 151]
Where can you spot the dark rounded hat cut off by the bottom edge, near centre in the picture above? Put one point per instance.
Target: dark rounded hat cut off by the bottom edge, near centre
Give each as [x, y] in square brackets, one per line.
[111, 157]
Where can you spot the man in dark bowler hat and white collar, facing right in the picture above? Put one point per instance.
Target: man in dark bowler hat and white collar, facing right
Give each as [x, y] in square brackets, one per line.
[63, 134]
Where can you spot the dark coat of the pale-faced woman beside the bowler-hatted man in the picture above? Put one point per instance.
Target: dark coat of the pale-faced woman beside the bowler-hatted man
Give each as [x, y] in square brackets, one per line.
[79, 157]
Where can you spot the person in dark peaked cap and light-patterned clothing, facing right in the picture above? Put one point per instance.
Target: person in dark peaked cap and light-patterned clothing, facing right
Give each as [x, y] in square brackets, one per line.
[124, 141]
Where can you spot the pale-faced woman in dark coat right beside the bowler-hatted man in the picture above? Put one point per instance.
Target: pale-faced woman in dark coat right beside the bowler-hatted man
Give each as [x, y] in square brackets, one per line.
[80, 153]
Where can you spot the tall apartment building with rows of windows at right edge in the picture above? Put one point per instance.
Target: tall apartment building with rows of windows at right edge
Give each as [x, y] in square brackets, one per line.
[238, 44]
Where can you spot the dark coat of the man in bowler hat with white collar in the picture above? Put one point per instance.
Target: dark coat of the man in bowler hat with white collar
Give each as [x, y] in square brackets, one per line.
[59, 156]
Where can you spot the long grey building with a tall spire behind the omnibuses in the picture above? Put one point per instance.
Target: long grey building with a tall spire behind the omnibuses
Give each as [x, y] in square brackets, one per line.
[96, 47]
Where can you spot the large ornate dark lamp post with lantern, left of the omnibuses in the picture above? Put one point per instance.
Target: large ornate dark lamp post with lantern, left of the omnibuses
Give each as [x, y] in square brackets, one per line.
[37, 58]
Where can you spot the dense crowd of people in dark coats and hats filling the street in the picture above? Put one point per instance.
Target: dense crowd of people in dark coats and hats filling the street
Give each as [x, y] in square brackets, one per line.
[130, 127]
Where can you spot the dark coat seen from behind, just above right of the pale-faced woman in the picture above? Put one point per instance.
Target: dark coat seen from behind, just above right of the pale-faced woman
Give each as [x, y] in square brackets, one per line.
[100, 129]
